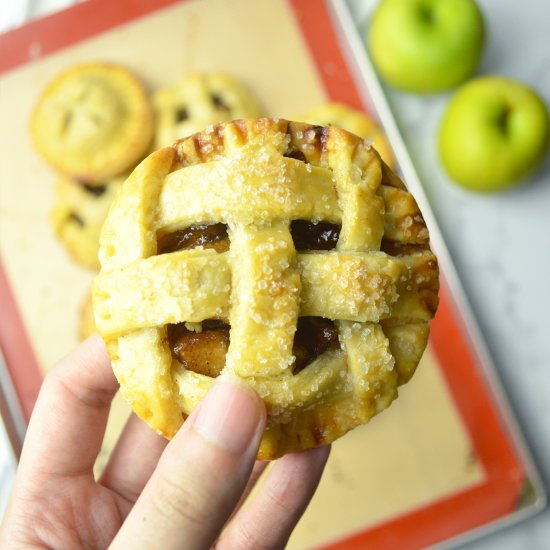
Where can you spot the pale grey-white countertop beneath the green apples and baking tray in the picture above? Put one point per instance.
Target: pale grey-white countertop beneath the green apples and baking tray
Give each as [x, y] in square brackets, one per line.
[499, 243]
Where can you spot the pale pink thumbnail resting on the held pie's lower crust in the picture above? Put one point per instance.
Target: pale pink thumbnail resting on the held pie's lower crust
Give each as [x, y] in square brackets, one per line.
[231, 416]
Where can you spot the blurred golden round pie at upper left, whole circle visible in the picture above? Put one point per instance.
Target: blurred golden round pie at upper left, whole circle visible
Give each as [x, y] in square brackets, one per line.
[93, 122]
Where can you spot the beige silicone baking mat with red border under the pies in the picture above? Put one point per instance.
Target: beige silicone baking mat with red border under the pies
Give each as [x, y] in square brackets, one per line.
[444, 459]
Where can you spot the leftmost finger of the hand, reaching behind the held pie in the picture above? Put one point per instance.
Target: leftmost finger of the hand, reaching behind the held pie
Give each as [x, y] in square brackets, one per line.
[69, 418]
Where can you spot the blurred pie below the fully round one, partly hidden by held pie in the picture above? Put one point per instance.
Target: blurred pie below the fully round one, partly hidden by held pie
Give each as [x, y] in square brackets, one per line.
[78, 214]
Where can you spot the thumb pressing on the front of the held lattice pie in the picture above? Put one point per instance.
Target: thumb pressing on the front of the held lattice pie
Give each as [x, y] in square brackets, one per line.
[201, 475]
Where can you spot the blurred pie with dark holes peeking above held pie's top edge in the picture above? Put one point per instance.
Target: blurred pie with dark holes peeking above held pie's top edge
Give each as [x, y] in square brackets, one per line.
[197, 101]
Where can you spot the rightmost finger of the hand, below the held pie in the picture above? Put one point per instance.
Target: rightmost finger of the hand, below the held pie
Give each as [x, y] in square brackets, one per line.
[267, 521]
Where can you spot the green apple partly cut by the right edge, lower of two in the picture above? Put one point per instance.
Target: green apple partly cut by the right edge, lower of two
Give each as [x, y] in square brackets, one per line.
[495, 132]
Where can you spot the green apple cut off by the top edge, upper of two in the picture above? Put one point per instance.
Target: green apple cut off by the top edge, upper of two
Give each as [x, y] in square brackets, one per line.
[426, 45]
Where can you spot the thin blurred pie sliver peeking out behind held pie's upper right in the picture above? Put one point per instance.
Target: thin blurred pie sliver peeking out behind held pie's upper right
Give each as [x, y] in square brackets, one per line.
[354, 121]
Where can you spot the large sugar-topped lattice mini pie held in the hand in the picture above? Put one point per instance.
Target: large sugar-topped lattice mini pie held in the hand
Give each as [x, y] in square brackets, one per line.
[286, 254]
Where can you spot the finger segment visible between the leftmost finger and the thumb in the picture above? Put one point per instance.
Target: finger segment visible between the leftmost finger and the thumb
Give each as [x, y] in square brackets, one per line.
[133, 459]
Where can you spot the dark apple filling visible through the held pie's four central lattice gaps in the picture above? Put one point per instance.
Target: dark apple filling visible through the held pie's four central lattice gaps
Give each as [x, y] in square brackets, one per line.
[202, 347]
